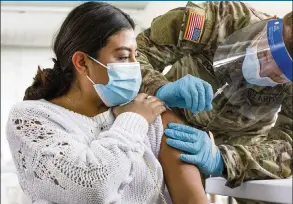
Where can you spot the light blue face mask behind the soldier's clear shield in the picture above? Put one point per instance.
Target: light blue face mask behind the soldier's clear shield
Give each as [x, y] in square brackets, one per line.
[251, 69]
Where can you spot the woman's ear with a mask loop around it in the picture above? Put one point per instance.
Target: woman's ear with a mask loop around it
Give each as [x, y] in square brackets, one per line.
[80, 61]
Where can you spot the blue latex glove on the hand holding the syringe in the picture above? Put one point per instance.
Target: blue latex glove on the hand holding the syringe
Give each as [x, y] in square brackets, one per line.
[188, 92]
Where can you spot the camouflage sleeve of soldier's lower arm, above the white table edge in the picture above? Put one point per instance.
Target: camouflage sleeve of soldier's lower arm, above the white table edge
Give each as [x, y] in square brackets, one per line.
[271, 159]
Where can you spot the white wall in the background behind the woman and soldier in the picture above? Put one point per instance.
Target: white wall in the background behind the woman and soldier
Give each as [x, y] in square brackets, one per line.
[27, 29]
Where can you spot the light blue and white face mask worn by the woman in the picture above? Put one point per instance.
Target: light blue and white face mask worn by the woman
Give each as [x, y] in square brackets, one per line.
[124, 83]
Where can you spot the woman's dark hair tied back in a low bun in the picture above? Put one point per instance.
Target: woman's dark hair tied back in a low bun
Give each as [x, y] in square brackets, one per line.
[87, 29]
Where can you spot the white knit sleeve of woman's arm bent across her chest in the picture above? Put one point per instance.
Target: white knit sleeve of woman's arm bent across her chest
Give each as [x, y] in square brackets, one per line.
[55, 166]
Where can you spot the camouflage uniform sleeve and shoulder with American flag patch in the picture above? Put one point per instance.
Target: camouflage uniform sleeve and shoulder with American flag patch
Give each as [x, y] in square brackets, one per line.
[167, 41]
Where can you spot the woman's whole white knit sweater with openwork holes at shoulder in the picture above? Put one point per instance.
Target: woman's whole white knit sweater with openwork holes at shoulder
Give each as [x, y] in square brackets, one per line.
[64, 157]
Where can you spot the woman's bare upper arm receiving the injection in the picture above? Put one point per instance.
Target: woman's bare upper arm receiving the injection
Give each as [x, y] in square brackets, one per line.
[183, 180]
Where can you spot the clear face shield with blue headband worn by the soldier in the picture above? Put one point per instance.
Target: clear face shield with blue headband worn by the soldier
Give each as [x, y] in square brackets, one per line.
[254, 56]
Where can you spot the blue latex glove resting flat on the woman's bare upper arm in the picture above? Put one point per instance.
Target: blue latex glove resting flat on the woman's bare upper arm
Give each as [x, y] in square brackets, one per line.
[199, 146]
